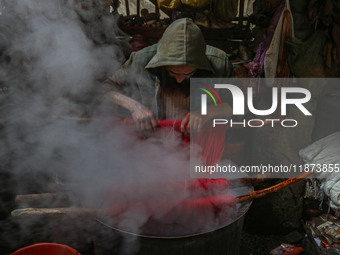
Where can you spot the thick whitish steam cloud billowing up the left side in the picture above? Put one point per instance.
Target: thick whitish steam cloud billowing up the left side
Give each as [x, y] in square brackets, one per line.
[59, 67]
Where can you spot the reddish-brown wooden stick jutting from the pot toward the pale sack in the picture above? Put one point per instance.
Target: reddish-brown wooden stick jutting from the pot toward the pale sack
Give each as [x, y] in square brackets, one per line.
[277, 187]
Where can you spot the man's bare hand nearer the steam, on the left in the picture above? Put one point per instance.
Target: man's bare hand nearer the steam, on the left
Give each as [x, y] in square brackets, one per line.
[145, 120]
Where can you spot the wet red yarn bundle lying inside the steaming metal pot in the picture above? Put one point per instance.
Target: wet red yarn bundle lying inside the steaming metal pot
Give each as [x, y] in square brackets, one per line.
[190, 205]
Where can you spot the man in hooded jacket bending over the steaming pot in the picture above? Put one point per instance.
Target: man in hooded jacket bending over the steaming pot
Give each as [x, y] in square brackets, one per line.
[153, 84]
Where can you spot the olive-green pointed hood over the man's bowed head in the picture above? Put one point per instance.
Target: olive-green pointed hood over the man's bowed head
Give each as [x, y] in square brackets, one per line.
[181, 44]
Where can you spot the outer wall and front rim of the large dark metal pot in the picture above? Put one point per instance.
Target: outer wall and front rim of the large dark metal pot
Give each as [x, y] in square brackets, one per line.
[224, 239]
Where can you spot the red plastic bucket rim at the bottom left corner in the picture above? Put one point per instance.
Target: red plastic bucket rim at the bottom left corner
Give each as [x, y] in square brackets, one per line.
[46, 249]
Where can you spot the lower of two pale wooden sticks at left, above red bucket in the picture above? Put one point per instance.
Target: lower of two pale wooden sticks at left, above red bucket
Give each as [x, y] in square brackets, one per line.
[52, 212]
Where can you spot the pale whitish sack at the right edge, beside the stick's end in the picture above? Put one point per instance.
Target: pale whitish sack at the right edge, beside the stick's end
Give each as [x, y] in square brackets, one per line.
[325, 154]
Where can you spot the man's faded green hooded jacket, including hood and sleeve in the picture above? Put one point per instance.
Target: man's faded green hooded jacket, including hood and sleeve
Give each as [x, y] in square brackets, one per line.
[181, 44]
